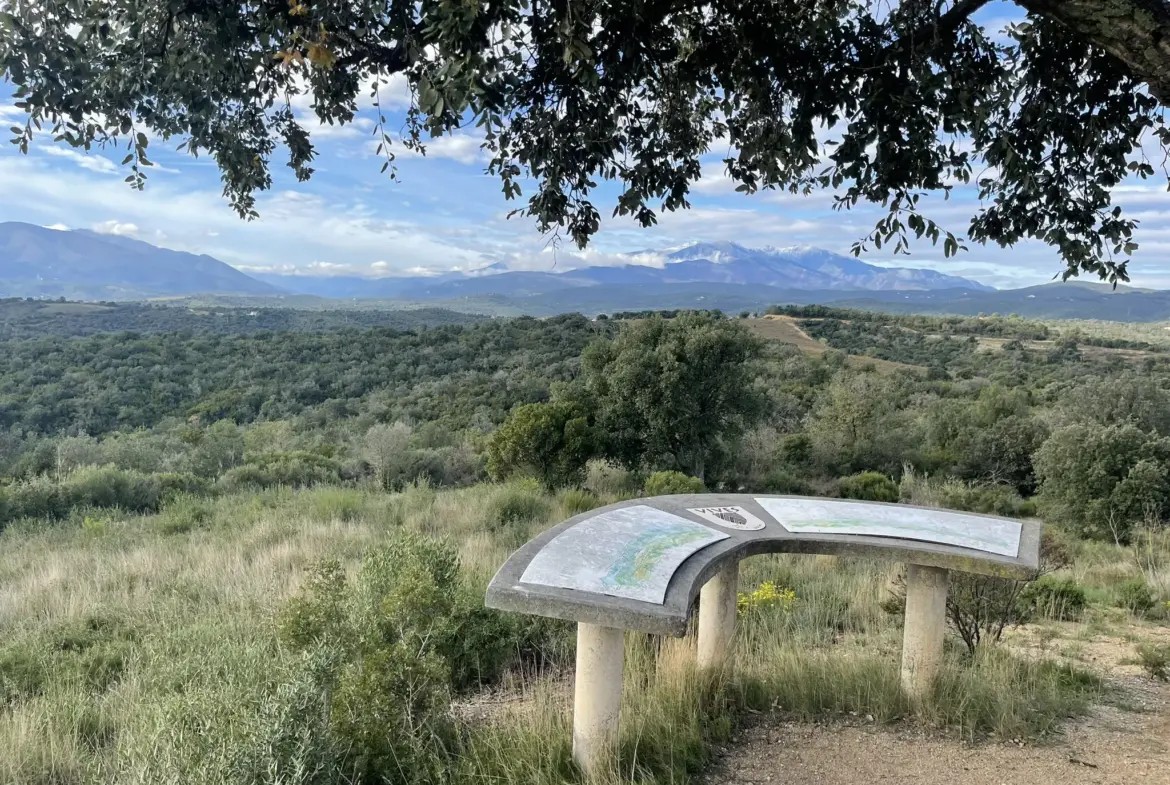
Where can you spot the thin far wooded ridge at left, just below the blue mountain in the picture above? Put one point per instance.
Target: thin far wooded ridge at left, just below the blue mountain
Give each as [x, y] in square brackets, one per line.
[29, 319]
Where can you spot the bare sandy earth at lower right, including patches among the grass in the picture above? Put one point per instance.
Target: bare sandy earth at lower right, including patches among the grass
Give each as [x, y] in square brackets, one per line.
[1112, 746]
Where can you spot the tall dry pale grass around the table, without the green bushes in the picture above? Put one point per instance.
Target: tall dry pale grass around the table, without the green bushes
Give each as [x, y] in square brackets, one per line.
[141, 650]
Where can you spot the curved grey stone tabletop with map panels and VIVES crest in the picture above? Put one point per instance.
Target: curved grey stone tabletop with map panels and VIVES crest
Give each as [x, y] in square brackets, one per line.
[639, 564]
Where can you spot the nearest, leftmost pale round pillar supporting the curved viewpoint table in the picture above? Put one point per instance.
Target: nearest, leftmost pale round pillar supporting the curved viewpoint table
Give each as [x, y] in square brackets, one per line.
[597, 697]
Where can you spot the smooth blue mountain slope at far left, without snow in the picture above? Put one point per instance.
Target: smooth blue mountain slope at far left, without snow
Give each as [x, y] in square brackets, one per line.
[82, 265]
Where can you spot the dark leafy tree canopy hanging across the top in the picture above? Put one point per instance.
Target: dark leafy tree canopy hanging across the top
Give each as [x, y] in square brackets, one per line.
[877, 100]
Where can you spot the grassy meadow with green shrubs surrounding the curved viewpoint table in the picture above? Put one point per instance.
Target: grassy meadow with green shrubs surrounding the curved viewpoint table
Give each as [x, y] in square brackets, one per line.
[156, 650]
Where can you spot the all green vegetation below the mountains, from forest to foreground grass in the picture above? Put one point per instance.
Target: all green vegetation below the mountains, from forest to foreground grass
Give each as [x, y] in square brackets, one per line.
[207, 580]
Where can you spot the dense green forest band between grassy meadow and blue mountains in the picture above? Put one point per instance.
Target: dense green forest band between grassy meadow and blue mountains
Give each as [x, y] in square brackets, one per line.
[994, 415]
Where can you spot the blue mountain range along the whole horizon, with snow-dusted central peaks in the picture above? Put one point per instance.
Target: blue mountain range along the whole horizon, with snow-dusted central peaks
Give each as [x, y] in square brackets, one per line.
[42, 263]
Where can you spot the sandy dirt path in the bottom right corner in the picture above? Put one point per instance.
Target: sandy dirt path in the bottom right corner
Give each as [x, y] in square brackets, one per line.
[1109, 748]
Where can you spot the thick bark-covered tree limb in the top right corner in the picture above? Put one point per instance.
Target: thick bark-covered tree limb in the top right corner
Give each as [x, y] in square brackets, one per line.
[1135, 32]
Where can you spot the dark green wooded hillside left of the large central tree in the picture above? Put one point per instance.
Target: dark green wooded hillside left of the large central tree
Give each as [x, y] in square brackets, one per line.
[456, 375]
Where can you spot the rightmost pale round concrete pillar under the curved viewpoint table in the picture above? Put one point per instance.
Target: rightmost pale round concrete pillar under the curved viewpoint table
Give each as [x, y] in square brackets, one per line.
[926, 622]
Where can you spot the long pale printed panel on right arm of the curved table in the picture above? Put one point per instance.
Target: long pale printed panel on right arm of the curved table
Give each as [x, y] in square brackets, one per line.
[940, 527]
